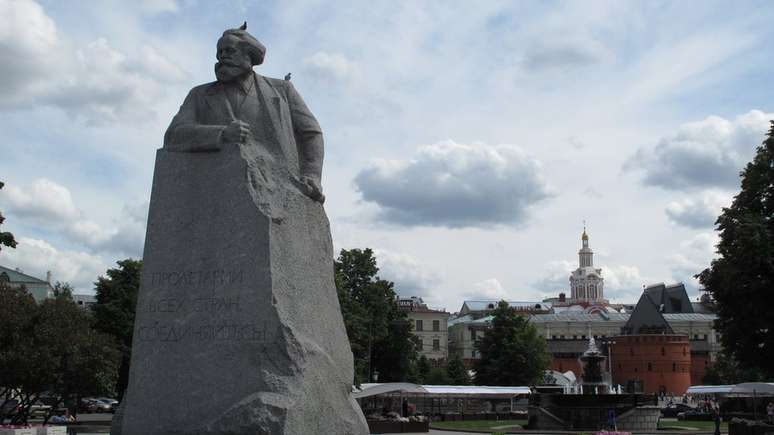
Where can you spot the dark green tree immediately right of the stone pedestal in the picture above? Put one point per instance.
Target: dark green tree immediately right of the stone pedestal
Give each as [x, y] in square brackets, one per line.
[379, 332]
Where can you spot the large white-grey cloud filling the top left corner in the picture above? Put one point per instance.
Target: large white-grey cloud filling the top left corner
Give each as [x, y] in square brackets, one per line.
[96, 82]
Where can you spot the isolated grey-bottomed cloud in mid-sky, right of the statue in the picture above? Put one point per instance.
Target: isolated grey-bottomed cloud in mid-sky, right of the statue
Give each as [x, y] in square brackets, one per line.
[456, 185]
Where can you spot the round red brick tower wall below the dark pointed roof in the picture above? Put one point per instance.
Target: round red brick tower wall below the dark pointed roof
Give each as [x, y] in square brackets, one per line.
[660, 361]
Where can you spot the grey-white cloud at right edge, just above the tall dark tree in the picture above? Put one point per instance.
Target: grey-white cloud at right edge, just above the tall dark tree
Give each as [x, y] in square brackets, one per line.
[706, 153]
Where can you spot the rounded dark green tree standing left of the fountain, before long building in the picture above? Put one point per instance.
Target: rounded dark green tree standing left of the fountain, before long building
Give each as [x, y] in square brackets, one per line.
[512, 351]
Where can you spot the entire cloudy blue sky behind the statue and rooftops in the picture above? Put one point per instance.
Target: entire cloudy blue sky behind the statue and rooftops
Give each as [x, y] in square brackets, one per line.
[465, 143]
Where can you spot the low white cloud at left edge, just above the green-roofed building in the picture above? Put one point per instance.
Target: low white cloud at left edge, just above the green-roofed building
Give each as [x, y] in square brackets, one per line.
[36, 257]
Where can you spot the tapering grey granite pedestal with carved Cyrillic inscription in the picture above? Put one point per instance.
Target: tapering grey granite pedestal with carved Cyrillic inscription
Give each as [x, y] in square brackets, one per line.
[238, 327]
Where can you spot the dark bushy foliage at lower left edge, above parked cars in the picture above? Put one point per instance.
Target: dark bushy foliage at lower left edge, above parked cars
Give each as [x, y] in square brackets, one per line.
[50, 348]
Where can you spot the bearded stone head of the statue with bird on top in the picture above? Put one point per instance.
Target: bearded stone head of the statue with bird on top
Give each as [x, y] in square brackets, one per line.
[237, 52]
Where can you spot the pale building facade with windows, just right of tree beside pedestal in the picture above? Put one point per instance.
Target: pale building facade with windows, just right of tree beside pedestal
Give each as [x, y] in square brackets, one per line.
[430, 328]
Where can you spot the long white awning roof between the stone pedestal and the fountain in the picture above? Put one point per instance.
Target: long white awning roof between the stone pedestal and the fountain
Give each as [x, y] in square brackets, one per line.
[367, 390]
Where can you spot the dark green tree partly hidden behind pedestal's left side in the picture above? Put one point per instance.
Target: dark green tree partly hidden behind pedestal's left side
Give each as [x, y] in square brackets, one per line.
[114, 311]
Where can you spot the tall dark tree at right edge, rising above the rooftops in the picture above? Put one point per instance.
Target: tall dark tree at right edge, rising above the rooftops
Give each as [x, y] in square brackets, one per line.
[741, 279]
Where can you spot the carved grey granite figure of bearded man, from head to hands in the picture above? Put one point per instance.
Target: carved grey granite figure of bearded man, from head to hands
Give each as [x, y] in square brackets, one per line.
[243, 107]
